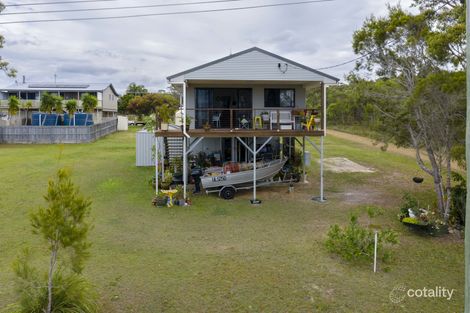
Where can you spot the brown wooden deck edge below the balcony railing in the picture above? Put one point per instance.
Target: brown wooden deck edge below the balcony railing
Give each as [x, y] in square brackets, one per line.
[221, 132]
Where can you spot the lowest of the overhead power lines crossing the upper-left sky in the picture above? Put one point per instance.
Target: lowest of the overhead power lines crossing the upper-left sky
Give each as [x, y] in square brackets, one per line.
[165, 13]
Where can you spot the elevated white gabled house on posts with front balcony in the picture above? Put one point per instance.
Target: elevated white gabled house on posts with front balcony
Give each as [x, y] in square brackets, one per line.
[246, 106]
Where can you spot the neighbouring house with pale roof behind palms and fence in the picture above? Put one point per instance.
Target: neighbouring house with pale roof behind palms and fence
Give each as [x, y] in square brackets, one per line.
[29, 91]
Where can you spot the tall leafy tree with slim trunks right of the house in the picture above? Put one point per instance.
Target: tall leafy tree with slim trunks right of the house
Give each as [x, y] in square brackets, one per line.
[400, 48]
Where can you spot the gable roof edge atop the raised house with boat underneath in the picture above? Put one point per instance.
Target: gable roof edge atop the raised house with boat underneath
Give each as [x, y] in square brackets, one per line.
[248, 51]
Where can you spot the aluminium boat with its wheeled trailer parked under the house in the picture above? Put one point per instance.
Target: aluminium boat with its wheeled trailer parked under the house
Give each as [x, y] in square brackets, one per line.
[227, 184]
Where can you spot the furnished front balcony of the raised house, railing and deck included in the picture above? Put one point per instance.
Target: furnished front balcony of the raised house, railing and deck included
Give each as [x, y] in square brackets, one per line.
[241, 122]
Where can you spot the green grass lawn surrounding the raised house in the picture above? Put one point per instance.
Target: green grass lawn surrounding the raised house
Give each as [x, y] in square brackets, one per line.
[228, 256]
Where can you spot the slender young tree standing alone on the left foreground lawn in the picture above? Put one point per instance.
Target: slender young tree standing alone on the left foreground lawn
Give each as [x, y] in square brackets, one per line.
[63, 226]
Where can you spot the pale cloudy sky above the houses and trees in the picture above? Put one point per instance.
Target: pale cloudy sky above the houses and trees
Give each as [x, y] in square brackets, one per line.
[146, 50]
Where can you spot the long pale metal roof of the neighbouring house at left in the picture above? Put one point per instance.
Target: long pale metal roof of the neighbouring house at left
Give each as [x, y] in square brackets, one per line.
[47, 86]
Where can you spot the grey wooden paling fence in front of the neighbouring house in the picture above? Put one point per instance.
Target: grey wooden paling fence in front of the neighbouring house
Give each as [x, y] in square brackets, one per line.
[56, 134]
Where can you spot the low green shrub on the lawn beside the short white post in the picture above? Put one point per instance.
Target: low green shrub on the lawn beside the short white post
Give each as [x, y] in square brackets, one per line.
[356, 243]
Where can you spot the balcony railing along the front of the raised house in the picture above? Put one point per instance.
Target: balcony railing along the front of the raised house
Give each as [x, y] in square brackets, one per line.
[255, 119]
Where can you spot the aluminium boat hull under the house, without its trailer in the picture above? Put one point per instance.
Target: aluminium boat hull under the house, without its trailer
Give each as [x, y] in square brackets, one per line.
[265, 171]
